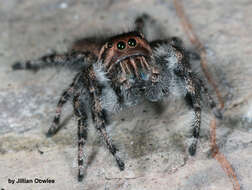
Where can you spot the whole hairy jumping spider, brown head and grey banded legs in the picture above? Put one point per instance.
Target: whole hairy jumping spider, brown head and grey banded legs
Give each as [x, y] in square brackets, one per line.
[119, 72]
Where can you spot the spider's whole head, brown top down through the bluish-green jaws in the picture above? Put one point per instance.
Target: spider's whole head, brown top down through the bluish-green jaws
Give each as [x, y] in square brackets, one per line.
[127, 59]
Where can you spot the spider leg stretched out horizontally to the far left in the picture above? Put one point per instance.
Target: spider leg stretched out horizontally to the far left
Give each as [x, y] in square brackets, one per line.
[74, 61]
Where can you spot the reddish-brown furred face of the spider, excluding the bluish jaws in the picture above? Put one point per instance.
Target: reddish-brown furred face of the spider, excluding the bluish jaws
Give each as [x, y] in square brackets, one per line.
[129, 50]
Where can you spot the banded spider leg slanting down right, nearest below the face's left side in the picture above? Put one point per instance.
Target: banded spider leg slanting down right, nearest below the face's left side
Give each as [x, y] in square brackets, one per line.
[100, 120]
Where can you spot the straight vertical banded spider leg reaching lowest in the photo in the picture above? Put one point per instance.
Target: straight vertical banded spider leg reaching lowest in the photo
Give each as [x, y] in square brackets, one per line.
[82, 134]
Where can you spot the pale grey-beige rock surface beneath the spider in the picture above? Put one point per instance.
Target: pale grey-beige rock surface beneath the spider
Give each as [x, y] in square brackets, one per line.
[152, 143]
